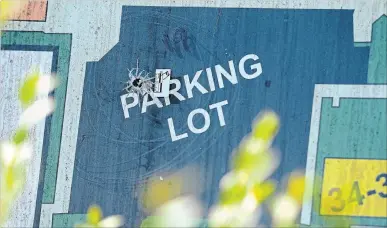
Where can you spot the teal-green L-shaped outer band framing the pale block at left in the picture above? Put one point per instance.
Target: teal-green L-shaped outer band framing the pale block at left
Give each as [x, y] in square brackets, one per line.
[63, 43]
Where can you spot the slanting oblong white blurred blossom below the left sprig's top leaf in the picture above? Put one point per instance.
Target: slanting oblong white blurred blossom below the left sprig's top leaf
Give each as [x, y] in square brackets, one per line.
[37, 112]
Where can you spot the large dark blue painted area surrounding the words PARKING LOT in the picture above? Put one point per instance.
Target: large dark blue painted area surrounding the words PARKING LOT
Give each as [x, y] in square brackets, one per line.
[297, 49]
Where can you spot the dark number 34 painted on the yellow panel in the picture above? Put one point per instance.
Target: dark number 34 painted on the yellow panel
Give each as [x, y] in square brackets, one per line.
[355, 196]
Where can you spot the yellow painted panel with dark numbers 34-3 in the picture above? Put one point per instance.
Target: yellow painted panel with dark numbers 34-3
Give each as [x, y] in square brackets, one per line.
[354, 187]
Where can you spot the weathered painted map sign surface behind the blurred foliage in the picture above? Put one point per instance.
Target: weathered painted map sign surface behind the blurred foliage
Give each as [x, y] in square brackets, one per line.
[324, 70]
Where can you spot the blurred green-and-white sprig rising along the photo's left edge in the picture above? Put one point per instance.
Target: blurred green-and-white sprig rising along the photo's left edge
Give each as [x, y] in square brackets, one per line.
[15, 154]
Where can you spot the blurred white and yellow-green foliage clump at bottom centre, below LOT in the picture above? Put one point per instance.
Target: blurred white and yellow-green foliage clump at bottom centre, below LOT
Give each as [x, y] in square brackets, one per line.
[243, 190]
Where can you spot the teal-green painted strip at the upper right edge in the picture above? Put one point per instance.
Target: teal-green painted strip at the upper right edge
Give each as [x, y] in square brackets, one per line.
[377, 65]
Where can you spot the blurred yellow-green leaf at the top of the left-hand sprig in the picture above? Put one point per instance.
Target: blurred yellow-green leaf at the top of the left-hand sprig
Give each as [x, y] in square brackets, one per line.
[27, 91]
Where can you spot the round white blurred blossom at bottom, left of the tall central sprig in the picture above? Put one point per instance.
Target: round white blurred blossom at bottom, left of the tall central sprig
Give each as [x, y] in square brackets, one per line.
[184, 211]
